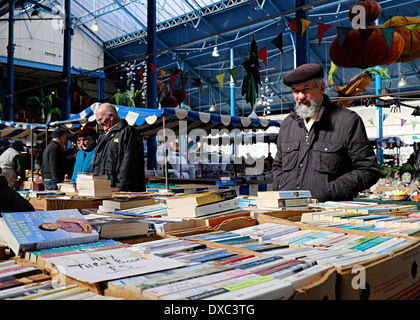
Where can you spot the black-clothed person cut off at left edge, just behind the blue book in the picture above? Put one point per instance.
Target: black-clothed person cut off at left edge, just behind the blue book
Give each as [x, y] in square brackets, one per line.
[11, 200]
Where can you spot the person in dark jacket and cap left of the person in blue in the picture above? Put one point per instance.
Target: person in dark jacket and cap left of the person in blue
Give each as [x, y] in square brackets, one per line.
[53, 161]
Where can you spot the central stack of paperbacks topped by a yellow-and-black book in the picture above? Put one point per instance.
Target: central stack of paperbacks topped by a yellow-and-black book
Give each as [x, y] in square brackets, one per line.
[201, 204]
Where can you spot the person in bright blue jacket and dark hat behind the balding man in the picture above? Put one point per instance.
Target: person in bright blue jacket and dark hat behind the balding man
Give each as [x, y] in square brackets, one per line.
[86, 139]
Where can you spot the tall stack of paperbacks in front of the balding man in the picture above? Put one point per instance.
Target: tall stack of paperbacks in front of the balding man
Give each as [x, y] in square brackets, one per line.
[93, 185]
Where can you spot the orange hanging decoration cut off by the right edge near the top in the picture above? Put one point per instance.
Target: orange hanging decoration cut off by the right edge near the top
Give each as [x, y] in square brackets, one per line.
[411, 38]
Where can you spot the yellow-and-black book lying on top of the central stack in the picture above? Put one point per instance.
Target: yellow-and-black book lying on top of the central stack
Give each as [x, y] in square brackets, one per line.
[200, 199]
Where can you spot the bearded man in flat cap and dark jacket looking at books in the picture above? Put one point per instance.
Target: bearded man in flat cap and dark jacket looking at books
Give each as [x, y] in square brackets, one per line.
[322, 147]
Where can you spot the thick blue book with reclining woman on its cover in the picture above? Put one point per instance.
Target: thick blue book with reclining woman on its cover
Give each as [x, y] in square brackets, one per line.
[29, 231]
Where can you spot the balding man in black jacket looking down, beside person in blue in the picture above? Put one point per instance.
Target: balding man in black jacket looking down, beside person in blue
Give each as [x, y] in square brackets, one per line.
[119, 153]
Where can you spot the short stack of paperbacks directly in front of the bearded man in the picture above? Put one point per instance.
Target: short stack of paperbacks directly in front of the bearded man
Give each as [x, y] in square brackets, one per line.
[282, 199]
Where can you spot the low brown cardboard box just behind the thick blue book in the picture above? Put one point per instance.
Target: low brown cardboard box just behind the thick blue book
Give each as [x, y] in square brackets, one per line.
[56, 203]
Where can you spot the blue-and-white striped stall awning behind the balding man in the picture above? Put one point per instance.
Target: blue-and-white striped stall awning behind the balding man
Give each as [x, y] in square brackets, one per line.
[150, 121]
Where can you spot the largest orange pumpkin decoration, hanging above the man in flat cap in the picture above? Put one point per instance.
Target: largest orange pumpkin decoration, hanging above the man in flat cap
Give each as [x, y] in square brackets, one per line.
[363, 48]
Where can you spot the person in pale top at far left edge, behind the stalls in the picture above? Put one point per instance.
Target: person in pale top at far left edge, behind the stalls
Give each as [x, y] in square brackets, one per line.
[11, 162]
